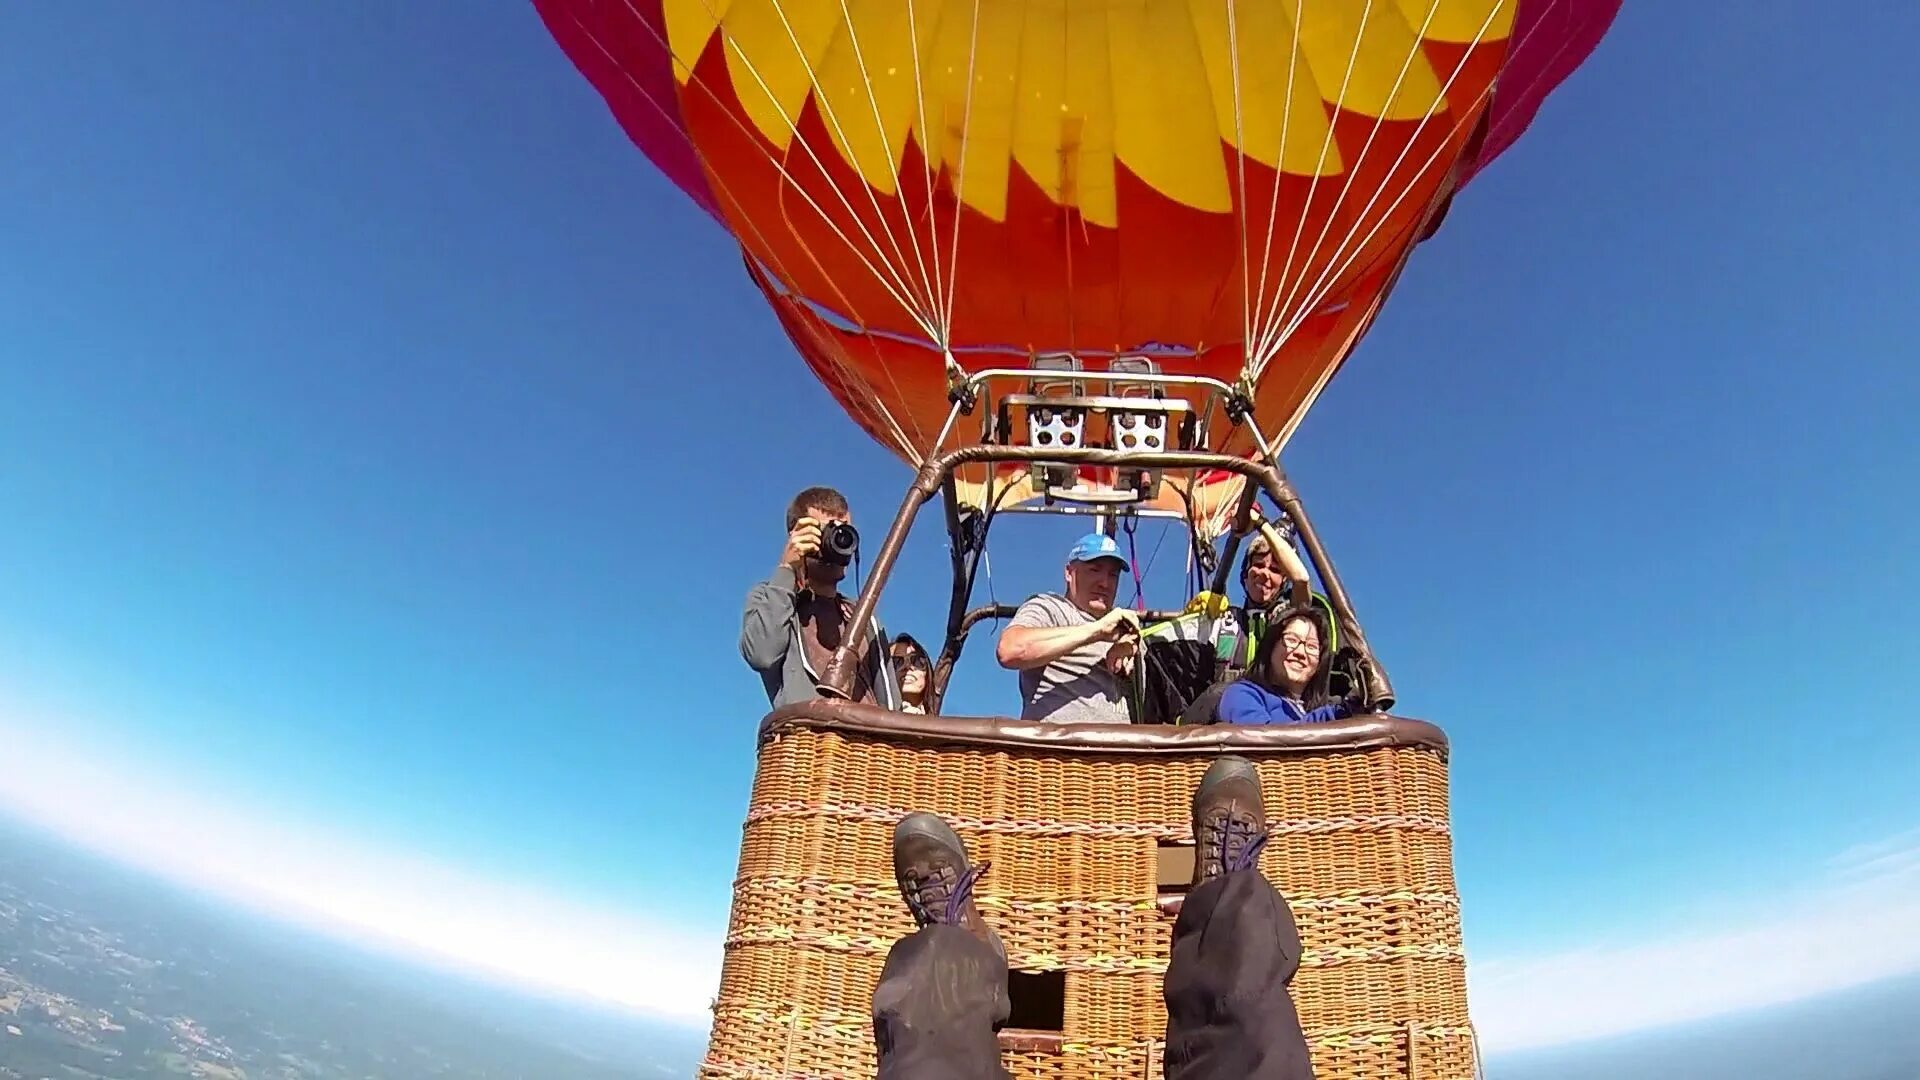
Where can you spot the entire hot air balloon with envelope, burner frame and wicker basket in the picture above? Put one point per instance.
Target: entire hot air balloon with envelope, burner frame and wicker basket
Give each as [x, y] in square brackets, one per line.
[1084, 257]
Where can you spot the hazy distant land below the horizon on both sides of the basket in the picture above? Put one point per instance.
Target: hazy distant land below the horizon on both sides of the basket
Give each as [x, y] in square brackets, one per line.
[110, 975]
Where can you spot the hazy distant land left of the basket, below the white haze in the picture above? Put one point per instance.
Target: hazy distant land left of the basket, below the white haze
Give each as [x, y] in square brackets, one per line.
[110, 975]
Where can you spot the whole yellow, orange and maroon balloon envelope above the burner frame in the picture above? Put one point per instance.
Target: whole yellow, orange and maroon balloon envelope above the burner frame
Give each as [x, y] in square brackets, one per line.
[1230, 187]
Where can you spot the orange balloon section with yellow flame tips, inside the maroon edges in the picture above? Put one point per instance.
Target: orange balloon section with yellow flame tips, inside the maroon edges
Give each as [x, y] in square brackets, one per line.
[1086, 178]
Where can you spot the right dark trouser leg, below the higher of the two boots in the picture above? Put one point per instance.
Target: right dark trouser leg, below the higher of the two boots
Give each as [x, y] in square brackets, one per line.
[1230, 1016]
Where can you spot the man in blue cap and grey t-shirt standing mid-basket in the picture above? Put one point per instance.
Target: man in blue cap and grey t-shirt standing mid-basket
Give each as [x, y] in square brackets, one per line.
[1074, 652]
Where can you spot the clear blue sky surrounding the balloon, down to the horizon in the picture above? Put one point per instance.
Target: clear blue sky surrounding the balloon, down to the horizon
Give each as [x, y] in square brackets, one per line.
[343, 351]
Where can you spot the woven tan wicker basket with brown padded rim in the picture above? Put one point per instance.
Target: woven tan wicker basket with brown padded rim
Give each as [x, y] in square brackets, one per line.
[1088, 829]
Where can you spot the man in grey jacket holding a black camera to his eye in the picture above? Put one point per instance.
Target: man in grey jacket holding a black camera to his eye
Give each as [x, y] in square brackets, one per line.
[798, 618]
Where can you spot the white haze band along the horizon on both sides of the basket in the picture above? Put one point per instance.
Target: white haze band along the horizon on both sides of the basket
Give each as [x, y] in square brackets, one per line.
[1858, 921]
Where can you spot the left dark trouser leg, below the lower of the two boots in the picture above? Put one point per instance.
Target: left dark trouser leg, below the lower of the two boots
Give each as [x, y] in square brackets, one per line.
[938, 1004]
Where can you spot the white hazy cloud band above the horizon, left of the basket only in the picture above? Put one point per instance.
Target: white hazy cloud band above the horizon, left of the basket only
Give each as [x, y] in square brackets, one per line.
[347, 887]
